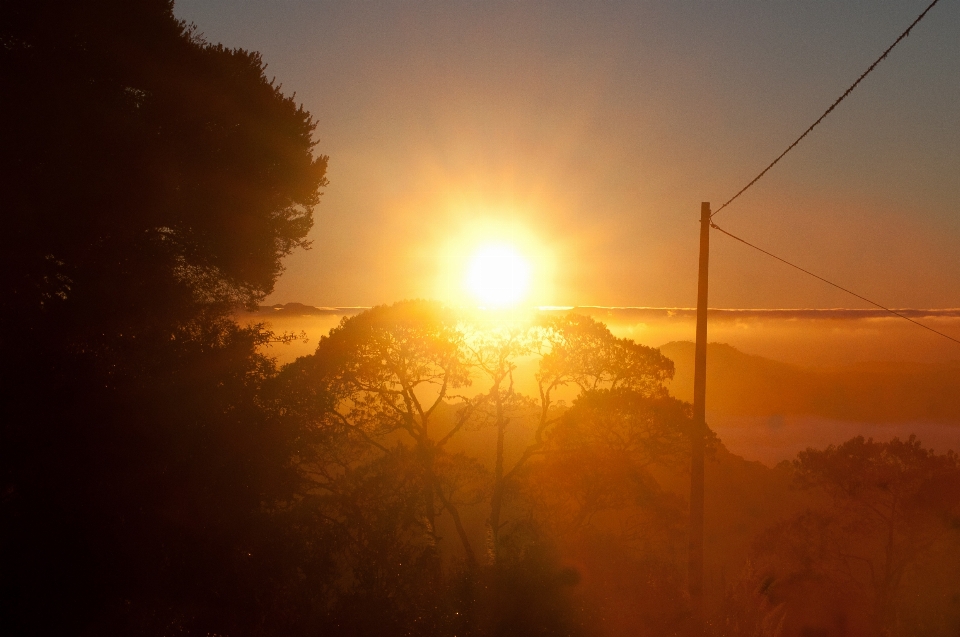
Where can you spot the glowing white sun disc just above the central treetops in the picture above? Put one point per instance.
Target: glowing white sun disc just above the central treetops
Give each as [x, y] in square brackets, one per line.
[498, 275]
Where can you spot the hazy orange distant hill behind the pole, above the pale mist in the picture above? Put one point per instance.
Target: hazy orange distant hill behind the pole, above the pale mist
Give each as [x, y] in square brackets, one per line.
[740, 384]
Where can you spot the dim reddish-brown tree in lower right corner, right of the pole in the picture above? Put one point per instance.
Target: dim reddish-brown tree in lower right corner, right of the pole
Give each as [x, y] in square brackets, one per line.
[865, 553]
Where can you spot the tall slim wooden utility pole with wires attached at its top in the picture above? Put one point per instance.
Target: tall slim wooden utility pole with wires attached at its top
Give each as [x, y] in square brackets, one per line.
[695, 573]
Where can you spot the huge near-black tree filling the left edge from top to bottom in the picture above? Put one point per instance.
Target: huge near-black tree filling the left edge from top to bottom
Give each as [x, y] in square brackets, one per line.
[152, 184]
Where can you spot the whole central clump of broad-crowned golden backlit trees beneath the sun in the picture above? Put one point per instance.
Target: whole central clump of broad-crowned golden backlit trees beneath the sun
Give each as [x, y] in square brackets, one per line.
[407, 379]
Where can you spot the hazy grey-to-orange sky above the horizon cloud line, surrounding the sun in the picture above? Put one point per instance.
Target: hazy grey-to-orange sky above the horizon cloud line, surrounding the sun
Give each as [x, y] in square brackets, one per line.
[587, 134]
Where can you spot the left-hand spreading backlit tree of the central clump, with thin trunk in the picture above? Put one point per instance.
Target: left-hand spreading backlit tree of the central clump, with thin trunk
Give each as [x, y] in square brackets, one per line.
[385, 377]
